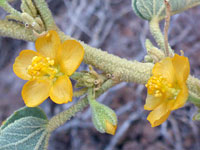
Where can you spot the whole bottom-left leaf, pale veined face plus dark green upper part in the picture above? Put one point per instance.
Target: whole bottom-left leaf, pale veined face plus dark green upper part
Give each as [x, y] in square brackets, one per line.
[25, 130]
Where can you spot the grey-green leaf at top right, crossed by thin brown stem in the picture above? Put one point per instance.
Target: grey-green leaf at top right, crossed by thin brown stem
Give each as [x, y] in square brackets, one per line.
[149, 9]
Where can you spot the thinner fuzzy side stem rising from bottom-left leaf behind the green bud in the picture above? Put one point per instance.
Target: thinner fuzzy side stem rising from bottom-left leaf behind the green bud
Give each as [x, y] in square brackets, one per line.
[64, 116]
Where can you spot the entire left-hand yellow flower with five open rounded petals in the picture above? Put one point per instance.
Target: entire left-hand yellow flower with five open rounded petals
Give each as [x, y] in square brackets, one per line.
[48, 69]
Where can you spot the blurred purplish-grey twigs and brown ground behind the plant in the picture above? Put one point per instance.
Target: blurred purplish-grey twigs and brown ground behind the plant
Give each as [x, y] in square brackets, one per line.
[112, 26]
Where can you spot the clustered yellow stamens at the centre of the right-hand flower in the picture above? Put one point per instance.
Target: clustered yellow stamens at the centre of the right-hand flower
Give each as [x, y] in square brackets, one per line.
[159, 87]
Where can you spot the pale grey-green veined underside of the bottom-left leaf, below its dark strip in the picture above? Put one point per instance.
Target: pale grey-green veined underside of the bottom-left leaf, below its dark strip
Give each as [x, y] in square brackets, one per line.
[28, 133]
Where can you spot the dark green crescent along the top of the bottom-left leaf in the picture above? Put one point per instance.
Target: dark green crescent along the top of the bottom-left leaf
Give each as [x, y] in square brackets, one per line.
[24, 112]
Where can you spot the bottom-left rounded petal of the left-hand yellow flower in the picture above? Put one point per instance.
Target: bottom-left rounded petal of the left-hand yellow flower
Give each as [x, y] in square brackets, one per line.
[35, 92]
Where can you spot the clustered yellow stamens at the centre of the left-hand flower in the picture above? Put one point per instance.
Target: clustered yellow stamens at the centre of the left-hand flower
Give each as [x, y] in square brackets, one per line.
[41, 67]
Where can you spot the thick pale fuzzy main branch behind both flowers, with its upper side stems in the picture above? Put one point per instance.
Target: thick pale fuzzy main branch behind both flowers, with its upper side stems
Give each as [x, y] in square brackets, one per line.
[121, 69]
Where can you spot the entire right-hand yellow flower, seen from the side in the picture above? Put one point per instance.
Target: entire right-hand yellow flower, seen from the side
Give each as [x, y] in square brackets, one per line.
[167, 89]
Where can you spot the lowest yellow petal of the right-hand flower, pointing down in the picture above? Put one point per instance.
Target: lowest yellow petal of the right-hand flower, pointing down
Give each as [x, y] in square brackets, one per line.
[159, 115]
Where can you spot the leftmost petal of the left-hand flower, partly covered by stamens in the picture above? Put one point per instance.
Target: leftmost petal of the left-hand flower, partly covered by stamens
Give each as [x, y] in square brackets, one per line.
[22, 62]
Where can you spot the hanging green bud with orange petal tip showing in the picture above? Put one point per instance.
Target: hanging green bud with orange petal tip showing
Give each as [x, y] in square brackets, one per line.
[103, 117]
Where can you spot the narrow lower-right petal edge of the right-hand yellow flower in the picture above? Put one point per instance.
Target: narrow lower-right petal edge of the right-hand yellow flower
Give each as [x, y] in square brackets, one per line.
[181, 98]
